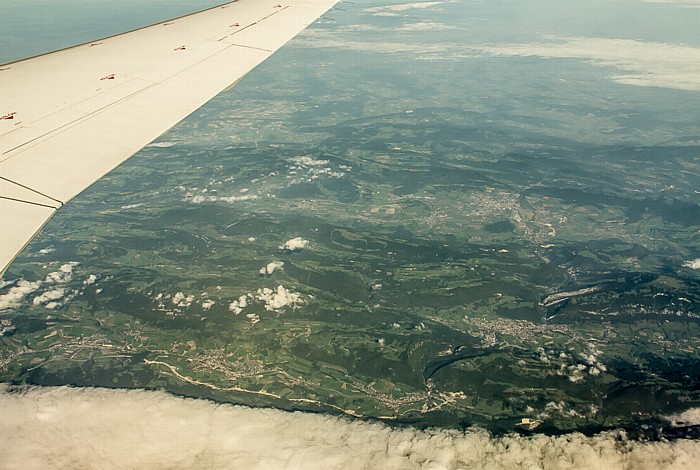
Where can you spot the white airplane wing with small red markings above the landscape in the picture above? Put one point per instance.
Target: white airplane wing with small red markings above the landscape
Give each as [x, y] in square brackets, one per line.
[69, 117]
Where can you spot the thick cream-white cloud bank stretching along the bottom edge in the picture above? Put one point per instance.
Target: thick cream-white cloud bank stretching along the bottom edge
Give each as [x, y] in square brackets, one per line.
[61, 427]
